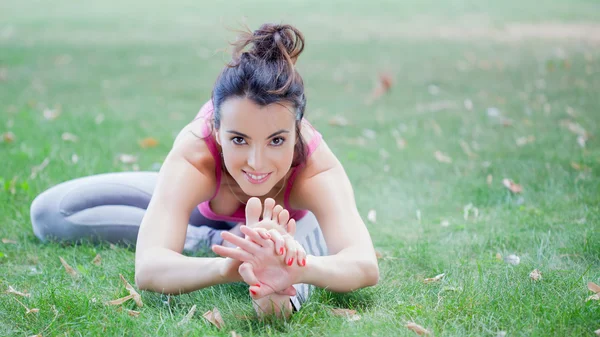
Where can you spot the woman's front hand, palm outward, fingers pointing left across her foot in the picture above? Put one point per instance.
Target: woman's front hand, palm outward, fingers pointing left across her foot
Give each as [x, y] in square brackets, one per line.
[263, 269]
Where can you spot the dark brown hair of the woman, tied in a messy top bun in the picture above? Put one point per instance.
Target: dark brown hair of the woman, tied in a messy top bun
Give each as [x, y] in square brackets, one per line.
[265, 74]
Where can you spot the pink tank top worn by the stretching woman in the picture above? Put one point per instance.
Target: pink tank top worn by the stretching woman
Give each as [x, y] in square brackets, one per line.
[240, 215]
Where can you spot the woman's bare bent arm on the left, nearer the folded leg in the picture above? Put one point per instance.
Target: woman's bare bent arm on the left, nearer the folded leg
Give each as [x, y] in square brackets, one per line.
[184, 181]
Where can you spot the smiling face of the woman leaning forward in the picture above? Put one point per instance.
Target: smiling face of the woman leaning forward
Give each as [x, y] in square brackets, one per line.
[257, 143]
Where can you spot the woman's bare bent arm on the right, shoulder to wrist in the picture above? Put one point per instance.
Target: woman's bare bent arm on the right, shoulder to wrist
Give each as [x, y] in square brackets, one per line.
[352, 263]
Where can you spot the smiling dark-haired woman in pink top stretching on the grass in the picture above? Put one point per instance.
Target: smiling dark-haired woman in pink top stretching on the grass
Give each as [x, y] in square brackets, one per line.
[248, 143]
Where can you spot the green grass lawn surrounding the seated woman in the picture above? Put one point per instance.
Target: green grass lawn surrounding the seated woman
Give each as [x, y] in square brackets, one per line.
[148, 67]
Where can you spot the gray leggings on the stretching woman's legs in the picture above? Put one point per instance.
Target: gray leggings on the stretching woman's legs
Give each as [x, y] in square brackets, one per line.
[110, 207]
